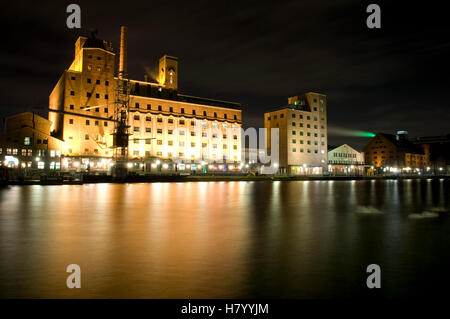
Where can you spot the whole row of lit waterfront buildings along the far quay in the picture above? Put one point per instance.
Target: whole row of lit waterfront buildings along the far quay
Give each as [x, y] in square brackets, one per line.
[169, 131]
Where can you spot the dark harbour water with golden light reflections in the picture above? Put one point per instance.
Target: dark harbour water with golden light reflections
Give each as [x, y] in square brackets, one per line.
[305, 239]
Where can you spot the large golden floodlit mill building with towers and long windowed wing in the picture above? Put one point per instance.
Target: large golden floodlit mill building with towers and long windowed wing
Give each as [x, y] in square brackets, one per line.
[162, 122]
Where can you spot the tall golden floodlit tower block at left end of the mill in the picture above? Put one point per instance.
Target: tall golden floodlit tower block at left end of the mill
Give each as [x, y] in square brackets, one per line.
[81, 105]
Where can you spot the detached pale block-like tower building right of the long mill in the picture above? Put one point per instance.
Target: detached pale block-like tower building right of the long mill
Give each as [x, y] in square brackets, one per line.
[302, 125]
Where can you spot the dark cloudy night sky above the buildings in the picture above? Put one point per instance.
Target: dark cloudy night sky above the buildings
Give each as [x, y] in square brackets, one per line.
[253, 52]
